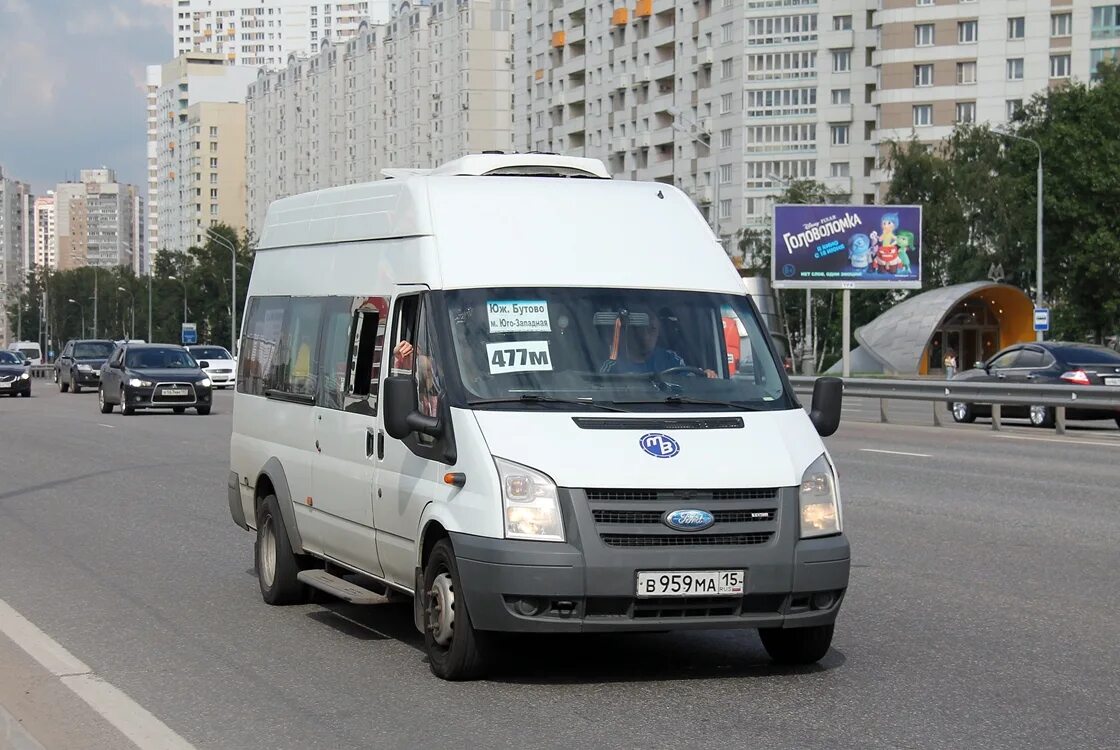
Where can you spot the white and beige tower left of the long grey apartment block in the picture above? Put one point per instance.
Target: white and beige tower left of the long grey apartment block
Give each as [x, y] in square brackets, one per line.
[200, 148]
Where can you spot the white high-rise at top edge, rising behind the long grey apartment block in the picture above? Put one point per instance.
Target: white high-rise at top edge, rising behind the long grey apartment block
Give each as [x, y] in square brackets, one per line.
[266, 32]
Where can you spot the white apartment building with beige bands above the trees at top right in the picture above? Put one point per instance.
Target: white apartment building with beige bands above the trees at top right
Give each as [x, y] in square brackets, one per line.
[947, 63]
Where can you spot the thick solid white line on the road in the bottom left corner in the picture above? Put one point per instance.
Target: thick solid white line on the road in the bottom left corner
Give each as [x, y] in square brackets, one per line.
[133, 720]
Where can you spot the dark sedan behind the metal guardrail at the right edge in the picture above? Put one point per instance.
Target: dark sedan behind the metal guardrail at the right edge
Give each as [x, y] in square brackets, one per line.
[1044, 363]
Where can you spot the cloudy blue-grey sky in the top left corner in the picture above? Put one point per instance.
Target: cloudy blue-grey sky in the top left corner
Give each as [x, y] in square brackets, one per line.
[72, 87]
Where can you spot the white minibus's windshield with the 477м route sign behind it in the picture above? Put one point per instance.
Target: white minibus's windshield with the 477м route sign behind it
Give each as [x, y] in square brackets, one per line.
[634, 350]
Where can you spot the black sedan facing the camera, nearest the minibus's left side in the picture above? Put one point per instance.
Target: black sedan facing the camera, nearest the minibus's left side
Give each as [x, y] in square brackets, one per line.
[154, 377]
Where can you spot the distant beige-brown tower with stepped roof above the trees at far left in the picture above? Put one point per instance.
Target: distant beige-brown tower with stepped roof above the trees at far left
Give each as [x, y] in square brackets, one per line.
[99, 222]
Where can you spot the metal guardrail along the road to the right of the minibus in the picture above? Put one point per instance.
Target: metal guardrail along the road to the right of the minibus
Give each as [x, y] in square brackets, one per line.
[941, 393]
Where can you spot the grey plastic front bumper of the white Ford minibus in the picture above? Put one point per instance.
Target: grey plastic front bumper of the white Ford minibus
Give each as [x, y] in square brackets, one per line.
[585, 586]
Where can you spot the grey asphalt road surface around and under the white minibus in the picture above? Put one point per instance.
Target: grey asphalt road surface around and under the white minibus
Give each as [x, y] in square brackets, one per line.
[982, 613]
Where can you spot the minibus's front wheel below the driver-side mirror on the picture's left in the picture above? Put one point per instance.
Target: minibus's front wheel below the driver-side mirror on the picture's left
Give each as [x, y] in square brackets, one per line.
[455, 650]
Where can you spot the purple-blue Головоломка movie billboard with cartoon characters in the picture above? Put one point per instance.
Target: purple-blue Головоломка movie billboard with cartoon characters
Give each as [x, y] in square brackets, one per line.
[847, 248]
